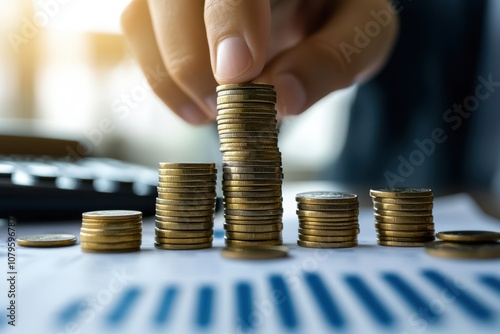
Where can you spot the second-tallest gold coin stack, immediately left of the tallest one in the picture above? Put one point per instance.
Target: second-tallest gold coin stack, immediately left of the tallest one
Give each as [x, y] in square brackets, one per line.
[185, 206]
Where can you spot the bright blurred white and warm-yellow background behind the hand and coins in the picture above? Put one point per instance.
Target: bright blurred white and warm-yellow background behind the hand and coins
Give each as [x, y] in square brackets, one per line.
[65, 72]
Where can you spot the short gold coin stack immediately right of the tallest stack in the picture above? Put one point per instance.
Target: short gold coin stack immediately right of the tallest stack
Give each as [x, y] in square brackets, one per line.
[327, 219]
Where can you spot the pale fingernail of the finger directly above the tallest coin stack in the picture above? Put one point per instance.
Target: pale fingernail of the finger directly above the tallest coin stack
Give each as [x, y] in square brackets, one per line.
[233, 58]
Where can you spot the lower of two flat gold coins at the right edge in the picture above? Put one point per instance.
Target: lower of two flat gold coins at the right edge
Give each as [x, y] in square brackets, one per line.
[458, 250]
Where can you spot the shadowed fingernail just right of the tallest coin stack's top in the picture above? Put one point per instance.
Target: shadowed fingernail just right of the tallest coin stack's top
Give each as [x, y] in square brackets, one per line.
[292, 95]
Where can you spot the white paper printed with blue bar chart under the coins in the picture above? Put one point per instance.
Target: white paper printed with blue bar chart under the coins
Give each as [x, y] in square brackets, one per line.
[367, 289]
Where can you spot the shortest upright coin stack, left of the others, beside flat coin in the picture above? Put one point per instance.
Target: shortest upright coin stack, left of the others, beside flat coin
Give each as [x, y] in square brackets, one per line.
[111, 231]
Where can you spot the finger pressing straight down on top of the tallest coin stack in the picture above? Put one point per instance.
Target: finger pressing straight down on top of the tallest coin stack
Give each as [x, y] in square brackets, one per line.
[238, 36]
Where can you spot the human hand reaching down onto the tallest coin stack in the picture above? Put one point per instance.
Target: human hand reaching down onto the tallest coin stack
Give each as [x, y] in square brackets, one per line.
[305, 48]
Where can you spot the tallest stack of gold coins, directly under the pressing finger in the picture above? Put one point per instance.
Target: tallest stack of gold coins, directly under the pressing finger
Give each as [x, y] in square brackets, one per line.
[252, 173]
